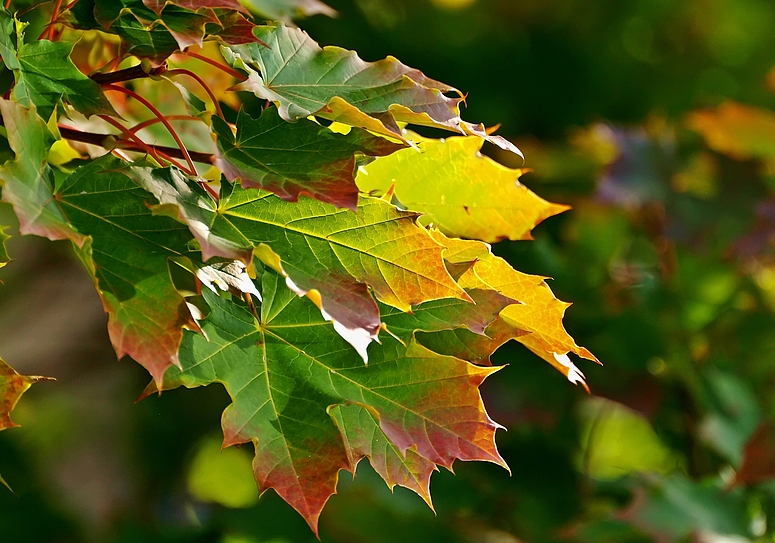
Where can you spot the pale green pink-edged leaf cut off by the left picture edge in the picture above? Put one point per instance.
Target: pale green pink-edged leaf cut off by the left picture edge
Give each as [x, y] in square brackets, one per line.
[28, 181]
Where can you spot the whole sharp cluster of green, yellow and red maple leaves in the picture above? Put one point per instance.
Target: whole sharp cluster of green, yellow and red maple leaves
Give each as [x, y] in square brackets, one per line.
[332, 277]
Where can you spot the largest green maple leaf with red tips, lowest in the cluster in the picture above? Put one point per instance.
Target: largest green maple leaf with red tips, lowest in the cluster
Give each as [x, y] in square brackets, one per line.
[288, 370]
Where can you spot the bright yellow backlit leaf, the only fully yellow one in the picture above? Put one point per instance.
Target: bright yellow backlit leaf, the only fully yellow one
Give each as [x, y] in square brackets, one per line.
[463, 192]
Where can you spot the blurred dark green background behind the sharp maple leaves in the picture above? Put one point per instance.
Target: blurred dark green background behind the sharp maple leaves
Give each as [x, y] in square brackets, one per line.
[655, 119]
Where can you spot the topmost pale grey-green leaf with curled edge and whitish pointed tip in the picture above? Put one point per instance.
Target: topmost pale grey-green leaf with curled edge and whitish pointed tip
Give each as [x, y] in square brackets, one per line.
[303, 79]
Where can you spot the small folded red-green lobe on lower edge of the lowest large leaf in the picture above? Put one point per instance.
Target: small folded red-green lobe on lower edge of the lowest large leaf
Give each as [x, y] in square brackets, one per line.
[363, 438]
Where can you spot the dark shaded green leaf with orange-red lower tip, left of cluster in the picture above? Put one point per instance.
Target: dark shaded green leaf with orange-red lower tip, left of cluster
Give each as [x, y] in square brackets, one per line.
[127, 254]
